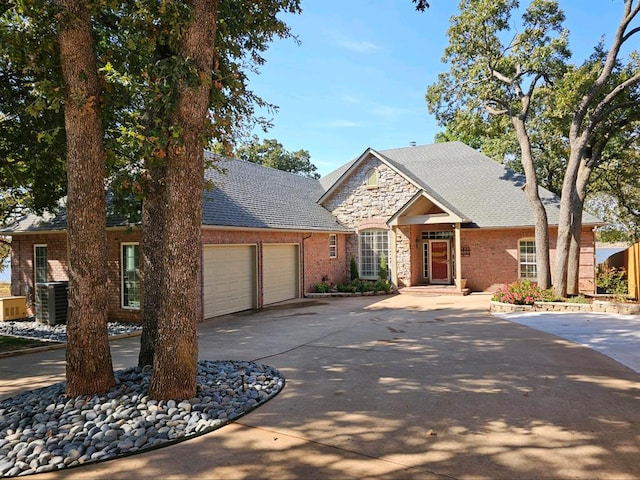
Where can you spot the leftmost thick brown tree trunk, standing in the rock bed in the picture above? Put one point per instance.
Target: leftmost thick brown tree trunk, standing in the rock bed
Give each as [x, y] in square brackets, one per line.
[89, 367]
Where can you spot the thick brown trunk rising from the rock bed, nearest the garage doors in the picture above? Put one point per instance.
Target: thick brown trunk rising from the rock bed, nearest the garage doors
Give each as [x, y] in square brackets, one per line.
[176, 355]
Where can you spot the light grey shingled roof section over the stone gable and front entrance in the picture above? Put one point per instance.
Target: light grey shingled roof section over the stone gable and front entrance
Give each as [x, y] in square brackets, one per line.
[467, 183]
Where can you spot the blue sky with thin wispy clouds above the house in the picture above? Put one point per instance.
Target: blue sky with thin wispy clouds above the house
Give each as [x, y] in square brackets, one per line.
[359, 77]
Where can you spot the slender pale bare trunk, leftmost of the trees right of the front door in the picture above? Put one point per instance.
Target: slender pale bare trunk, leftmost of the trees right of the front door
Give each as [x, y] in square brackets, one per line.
[539, 212]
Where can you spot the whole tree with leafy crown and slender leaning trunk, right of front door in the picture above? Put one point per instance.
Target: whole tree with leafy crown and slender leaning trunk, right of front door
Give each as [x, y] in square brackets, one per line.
[491, 76]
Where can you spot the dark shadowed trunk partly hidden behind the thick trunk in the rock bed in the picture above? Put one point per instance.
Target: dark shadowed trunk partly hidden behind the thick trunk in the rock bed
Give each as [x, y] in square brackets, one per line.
[152, 262]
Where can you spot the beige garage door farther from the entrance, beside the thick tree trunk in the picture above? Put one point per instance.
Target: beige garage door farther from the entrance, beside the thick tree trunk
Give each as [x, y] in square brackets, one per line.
[229, 279]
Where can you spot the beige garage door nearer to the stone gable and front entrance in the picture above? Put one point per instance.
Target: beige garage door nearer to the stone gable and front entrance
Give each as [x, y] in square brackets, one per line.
[280, 273]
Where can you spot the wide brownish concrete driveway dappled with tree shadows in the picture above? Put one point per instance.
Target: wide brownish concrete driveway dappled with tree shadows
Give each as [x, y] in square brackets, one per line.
[396, 387]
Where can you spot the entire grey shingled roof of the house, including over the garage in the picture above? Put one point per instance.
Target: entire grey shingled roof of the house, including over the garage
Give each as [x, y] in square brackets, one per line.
[246, 195]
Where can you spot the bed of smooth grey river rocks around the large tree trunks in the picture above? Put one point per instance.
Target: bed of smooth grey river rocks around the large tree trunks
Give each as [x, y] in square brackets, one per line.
[42, 430]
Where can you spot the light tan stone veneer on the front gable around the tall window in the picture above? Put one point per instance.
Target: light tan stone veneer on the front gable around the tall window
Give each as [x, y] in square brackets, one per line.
[359, 207]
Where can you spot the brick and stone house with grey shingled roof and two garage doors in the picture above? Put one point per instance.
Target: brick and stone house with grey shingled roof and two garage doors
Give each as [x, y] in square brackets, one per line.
[438, 214]
